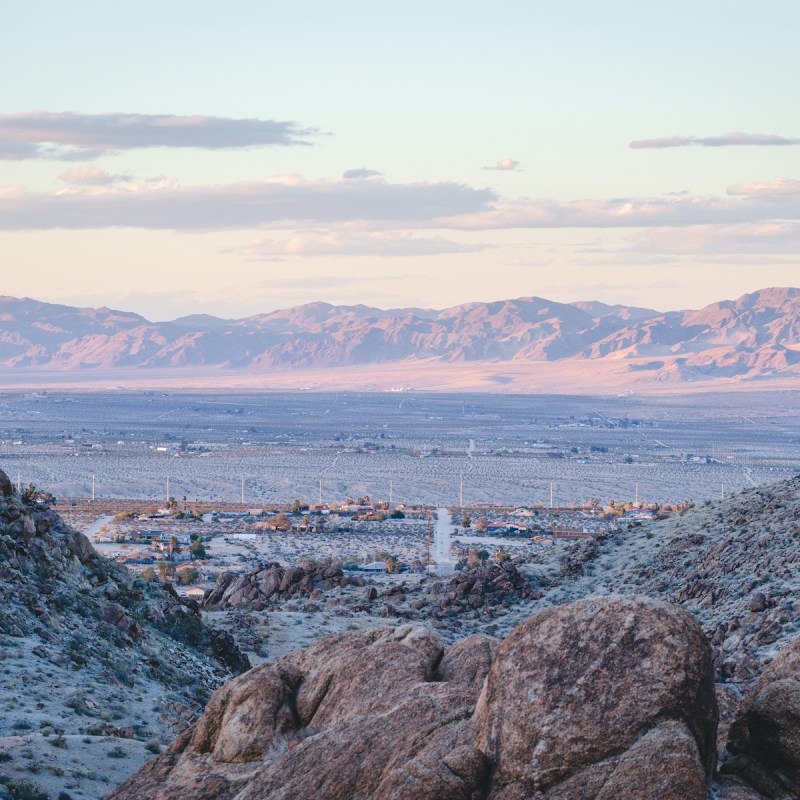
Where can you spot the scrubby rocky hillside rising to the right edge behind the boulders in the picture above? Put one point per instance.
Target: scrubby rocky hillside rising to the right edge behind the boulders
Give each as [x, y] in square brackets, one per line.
[734, 564]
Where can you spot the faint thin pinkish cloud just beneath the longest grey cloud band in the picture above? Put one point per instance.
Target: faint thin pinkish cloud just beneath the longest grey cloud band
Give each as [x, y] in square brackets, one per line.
[334, 244]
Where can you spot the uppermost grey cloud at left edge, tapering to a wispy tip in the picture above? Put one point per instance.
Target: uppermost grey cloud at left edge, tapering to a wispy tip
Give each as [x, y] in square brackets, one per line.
[71, 136]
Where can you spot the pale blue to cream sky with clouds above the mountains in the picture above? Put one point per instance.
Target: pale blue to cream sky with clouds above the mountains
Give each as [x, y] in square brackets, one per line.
[234, 158]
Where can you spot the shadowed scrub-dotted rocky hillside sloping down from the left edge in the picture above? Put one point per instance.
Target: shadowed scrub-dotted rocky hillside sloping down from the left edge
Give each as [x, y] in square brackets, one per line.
[98, 669]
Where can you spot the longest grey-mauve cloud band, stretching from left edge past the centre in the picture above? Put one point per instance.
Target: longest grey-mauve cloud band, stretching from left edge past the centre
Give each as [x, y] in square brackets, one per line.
[279, 202]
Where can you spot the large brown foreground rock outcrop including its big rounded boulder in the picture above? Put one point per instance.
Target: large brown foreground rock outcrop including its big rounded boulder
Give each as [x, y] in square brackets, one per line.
[604, 698]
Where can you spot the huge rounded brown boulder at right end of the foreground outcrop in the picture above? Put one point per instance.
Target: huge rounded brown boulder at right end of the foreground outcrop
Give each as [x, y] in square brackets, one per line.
[580, 684]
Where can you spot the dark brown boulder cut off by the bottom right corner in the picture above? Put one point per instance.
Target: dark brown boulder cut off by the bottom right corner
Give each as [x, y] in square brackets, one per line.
[764, 739]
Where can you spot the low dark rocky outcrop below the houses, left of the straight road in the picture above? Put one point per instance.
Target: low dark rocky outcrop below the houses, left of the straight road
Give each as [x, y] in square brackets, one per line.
[272, 583]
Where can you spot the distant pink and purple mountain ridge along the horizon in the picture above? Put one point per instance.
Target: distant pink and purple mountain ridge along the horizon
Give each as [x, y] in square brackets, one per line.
[756, 335]
